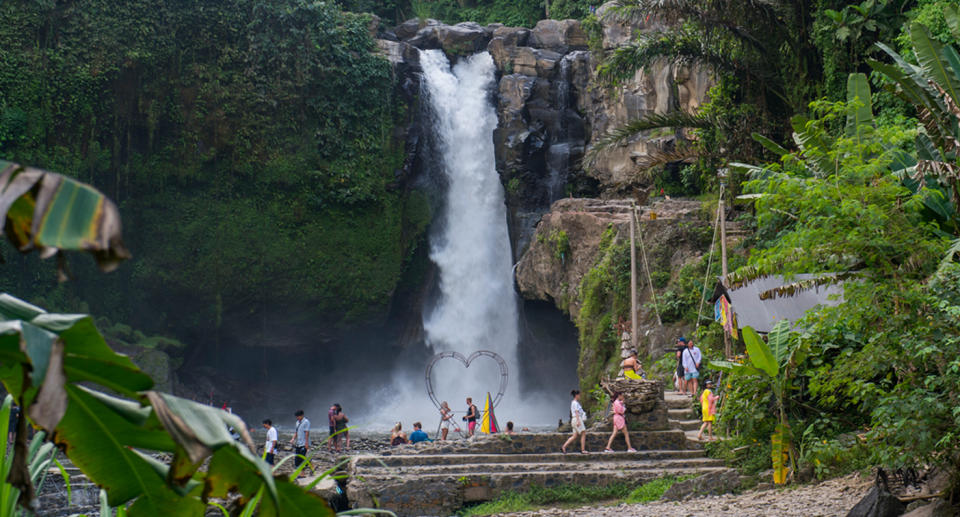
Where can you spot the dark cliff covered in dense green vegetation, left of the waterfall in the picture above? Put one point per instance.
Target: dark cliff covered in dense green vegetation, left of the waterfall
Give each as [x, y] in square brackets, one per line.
[256, 151]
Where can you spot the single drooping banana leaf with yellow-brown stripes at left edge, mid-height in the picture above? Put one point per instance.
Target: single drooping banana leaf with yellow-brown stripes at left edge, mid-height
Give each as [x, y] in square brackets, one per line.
[49, 212]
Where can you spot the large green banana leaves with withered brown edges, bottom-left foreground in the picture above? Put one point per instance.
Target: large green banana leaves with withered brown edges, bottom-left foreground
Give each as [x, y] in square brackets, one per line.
[45, 358]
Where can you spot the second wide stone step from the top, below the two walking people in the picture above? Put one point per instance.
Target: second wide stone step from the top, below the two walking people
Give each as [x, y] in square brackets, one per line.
[424, 460]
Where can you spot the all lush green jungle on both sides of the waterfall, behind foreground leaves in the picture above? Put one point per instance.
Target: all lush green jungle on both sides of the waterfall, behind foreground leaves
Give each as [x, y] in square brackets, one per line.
[254, 152]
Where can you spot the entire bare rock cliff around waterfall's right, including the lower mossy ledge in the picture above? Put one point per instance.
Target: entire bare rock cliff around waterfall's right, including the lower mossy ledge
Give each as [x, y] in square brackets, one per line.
[550, 109]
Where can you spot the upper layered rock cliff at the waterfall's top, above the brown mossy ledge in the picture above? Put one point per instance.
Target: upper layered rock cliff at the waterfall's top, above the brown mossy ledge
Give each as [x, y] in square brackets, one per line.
[550, 107]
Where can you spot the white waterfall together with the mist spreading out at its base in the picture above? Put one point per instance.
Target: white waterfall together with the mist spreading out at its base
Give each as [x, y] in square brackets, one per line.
[474, 306]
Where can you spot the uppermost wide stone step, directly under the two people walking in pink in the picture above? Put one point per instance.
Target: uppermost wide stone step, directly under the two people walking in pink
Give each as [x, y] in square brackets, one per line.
[541, 443]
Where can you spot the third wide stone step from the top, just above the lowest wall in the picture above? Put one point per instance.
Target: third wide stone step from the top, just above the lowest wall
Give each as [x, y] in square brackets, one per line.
[601, 462]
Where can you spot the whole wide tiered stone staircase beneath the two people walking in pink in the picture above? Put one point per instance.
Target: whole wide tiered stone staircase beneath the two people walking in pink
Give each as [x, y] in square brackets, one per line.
[439, 478]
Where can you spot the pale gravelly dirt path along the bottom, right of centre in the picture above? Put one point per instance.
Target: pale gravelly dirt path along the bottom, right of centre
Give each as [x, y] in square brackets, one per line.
[834, 497]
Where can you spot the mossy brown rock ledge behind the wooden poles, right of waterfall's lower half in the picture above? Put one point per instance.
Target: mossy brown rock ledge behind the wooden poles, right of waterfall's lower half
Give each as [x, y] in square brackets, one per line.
[592, 282]
